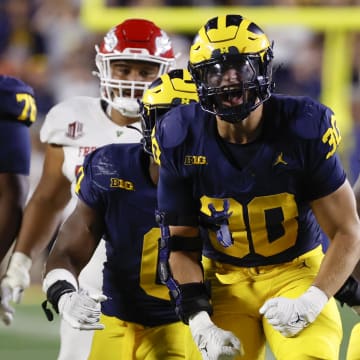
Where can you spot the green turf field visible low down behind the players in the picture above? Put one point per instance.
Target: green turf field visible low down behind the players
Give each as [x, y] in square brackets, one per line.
[32, 337]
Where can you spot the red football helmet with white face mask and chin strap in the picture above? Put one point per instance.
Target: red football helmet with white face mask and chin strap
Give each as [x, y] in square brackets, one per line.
[134, 39]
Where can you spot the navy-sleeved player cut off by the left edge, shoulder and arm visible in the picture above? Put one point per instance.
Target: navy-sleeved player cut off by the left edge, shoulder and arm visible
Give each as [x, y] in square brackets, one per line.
[17, 113]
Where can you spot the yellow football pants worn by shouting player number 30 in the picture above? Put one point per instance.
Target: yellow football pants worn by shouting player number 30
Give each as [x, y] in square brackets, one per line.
[238, 294]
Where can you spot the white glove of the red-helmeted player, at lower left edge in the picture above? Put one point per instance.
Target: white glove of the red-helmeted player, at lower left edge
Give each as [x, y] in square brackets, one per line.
[14, 282]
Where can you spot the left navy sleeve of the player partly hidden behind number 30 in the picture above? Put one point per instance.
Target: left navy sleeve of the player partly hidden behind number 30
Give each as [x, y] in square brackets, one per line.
[86, 188]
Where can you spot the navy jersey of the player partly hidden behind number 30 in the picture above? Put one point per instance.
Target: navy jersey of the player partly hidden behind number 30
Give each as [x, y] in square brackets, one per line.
[115, 182]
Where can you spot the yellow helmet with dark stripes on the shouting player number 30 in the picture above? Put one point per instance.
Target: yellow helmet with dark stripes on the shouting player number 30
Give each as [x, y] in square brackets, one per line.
[231, 64]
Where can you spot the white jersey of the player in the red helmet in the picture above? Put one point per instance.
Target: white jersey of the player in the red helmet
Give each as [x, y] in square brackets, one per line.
[80, 125]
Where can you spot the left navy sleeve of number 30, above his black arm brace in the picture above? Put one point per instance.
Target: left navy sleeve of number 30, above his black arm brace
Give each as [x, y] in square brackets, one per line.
[175, 198]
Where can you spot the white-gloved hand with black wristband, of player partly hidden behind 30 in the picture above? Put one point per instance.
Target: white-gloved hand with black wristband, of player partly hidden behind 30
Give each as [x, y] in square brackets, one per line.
[81, 310]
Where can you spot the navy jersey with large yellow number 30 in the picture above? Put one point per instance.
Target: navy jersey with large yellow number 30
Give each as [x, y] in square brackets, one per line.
[254, 198]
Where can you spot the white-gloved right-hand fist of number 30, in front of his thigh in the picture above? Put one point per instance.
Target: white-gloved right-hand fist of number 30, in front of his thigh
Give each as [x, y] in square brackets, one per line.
[290, 316]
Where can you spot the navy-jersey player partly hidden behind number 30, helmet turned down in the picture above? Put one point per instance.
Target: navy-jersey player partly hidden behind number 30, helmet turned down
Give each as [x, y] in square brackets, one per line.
[116, 191]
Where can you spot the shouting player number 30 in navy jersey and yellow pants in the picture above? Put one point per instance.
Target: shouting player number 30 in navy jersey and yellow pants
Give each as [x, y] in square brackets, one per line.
[263, 170]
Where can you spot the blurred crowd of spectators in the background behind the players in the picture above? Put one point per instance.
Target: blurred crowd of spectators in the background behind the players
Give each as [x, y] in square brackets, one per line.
[44, 43]
